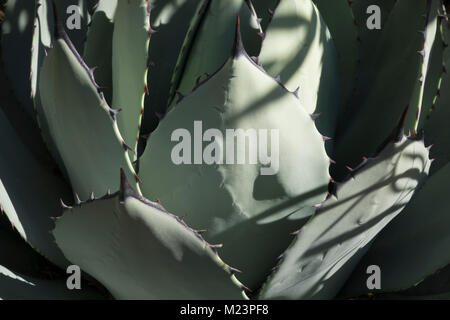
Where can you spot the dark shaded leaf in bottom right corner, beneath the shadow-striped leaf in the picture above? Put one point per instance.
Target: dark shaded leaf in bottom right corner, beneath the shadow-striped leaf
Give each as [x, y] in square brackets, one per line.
[407, 240]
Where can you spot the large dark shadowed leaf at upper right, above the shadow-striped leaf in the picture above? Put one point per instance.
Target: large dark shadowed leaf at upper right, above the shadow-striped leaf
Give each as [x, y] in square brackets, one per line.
[383, 101]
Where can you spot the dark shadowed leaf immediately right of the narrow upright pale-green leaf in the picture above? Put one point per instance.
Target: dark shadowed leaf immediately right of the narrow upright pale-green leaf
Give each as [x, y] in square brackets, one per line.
[172, 20]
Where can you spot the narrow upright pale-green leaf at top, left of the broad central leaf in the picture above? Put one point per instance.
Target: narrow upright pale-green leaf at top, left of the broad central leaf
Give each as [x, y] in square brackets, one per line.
[129, 65]
